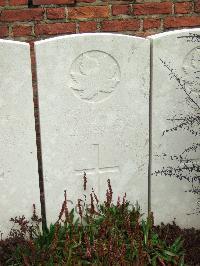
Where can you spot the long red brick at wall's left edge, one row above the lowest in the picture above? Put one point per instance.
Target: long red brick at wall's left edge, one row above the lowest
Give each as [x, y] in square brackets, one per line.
[22, 15]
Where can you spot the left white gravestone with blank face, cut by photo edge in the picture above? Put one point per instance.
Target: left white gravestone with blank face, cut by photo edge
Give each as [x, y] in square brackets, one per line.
[19, 181]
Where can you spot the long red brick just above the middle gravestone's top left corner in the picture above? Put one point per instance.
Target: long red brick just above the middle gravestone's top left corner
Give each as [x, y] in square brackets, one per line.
[55, 28]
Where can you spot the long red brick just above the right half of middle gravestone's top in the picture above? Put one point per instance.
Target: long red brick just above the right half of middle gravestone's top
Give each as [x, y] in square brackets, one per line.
[121, 25]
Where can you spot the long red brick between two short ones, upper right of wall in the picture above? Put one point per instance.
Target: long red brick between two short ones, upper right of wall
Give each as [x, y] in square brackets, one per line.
[152, 8]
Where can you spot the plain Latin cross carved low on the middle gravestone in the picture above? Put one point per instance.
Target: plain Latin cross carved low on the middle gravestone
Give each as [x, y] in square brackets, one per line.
[97, 170]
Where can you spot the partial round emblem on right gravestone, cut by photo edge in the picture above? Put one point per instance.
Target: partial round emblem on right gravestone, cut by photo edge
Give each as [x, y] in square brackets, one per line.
[191, 68]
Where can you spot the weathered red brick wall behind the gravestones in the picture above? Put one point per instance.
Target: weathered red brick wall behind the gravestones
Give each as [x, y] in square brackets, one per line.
[28, 20]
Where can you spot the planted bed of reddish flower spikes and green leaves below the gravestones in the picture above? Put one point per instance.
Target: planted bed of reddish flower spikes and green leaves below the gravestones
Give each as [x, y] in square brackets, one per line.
[104, 234]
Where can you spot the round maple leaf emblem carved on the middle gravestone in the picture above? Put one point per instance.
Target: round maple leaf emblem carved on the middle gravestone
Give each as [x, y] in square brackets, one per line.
[94, 76]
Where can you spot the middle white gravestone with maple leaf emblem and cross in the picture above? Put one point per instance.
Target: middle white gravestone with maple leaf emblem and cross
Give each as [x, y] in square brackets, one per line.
[93, 97]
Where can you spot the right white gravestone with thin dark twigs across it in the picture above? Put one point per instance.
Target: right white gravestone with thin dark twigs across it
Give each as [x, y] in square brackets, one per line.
[175, 178]
